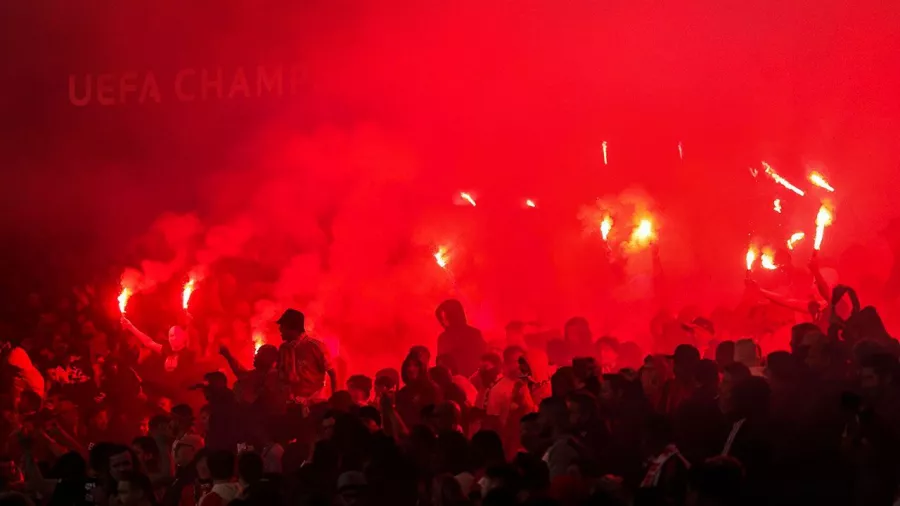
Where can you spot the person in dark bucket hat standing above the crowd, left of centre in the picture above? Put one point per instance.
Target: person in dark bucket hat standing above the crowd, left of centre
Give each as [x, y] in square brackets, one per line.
[303, 362]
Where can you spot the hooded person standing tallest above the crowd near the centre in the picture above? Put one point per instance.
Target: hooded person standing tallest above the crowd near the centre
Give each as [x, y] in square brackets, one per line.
[459, 339]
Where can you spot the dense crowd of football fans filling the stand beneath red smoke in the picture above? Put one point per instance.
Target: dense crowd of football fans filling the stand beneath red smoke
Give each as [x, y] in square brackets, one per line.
[97, 412]
